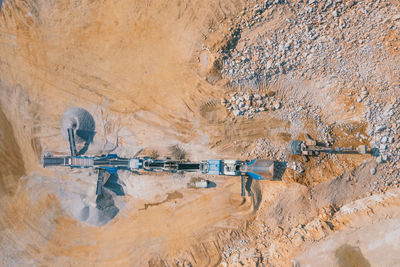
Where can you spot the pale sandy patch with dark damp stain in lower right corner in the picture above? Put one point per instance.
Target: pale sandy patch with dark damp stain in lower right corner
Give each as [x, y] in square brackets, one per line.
[372, 228]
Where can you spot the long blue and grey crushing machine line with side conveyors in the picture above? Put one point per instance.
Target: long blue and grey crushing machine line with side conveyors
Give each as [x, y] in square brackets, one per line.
[257, 169]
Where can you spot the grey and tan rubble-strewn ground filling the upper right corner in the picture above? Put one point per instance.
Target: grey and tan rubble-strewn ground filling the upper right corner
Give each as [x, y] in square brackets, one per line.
[347, 44]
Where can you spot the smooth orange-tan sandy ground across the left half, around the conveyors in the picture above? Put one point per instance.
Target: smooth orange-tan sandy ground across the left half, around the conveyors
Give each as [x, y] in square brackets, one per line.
[131, 65]
